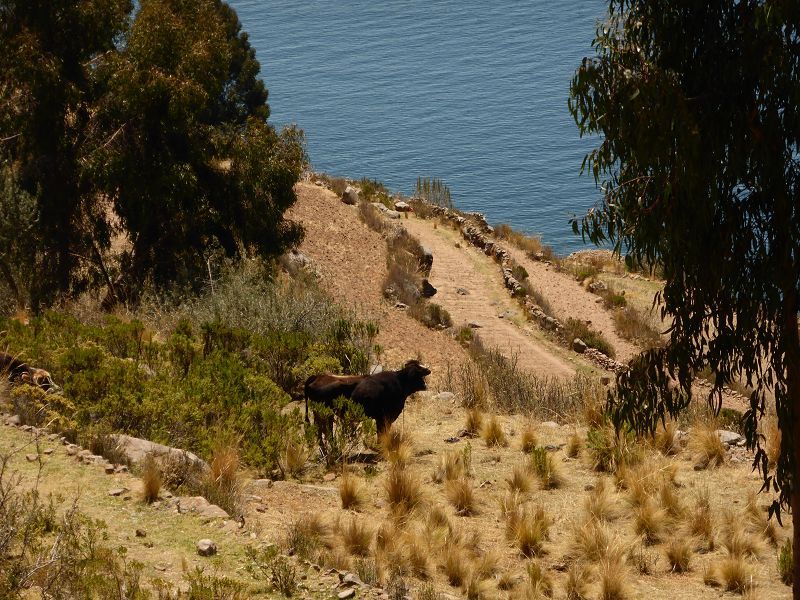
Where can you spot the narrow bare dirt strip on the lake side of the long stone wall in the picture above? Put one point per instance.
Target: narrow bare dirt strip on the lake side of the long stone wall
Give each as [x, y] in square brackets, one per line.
[569, 299]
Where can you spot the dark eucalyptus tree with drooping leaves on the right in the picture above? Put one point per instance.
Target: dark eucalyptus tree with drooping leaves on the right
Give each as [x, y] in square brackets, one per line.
[698, 109]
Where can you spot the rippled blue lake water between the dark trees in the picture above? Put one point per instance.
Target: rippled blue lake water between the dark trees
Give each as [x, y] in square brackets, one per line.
[474, 93]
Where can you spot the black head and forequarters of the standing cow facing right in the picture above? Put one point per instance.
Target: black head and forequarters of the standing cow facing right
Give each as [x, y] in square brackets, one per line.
[383, 395]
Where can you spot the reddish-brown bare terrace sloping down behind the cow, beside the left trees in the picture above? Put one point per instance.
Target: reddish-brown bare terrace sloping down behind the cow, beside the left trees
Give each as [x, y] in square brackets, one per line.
[340, 245]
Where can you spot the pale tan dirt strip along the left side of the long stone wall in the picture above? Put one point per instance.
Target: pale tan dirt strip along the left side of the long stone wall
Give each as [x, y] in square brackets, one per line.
[487, 303]
